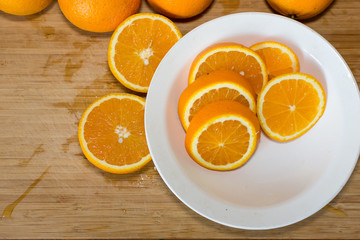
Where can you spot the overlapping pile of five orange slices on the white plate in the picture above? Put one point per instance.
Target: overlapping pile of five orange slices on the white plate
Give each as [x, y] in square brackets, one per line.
[227, 82]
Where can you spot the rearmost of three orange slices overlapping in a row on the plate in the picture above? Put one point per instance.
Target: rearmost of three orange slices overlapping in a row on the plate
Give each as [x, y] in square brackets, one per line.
[230, 56]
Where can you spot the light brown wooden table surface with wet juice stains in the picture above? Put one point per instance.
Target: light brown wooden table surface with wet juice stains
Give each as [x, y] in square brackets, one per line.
[50, 71]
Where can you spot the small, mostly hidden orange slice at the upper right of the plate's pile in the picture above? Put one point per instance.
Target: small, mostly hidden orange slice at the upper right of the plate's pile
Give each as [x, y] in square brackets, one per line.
[279, 58]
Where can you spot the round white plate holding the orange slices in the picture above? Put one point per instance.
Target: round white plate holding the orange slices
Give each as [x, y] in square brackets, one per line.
[282, 183]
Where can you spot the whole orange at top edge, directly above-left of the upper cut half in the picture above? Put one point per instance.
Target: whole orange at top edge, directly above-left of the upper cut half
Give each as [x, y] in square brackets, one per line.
[98, 15]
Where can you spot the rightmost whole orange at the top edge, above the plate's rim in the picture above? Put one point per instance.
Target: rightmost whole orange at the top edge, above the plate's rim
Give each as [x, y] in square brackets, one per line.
[296, 9]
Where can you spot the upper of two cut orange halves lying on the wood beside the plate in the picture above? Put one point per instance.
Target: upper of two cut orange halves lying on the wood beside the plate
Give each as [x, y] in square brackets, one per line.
[137, 47]
